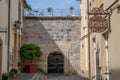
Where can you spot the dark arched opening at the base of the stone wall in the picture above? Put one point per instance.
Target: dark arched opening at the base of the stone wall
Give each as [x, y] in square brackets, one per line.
[56, 62]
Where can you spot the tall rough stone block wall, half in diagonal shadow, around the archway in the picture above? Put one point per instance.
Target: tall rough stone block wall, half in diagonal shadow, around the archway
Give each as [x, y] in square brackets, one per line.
[55, 34]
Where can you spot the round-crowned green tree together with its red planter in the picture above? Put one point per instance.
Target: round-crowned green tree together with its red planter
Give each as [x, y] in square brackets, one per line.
[29, 52]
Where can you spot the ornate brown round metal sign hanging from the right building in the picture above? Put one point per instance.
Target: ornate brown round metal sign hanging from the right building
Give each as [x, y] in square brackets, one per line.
[99, 20]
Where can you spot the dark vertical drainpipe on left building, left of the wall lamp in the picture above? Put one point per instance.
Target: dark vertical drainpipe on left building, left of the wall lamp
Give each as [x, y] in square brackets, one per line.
[8, 48]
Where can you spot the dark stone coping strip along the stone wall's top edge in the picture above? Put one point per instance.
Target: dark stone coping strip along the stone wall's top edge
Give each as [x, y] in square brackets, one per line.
[52, 18]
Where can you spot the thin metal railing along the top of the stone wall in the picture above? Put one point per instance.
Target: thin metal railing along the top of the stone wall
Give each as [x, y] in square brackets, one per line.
[54, 12]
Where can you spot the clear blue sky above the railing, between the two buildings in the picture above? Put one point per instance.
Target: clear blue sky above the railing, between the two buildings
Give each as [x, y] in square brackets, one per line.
[55, 4]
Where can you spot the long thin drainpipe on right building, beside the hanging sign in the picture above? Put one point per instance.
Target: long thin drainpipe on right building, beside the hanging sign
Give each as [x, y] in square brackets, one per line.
[89, 42]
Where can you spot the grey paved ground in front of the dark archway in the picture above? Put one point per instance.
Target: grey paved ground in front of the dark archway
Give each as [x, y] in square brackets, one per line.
[62, 77]
